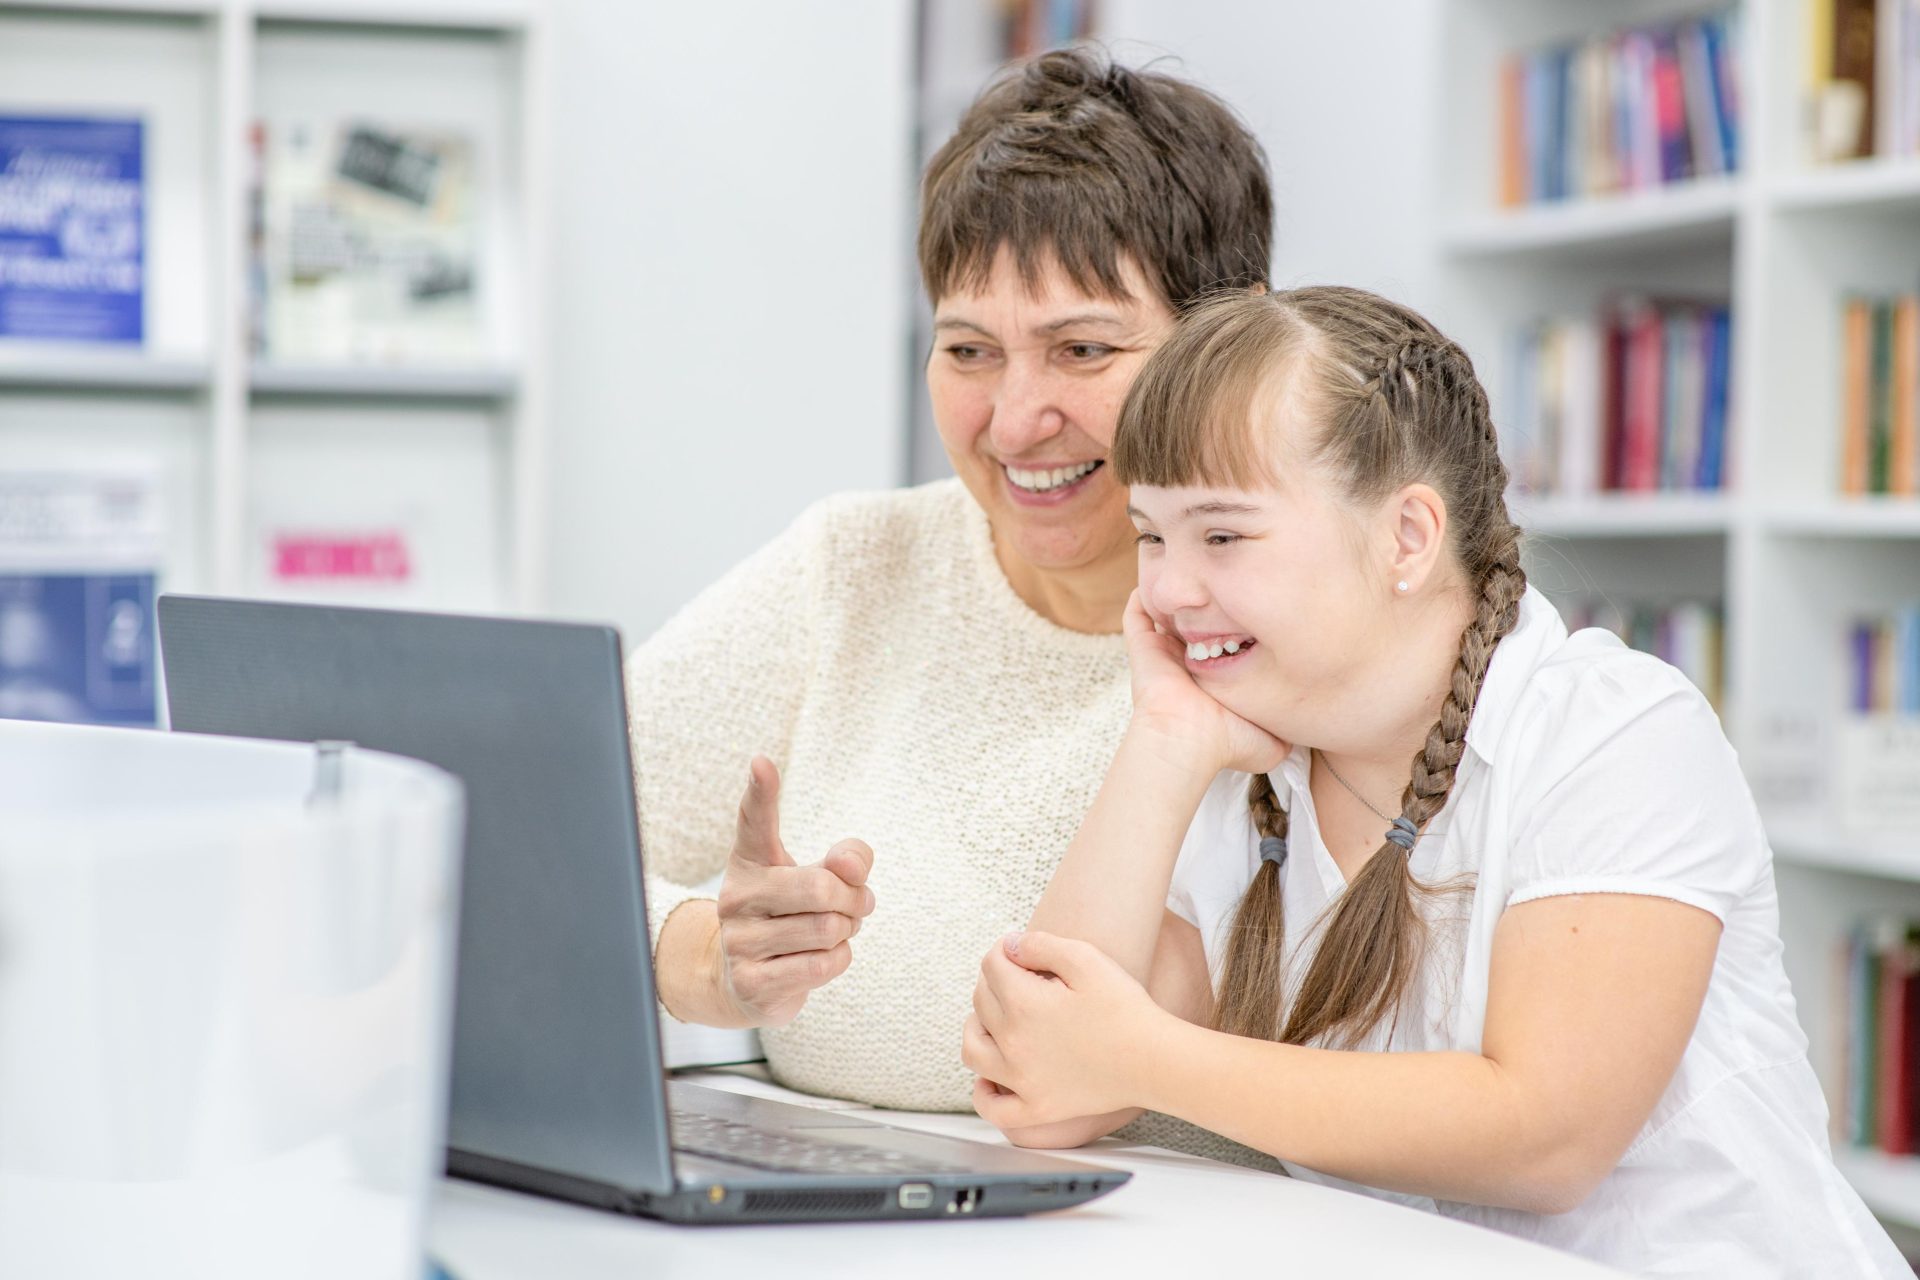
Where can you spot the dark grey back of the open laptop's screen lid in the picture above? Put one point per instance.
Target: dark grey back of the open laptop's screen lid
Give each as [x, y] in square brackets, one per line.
[556, 1041]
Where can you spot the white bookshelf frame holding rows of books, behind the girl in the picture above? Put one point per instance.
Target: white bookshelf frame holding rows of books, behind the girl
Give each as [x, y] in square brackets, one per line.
[1790, 559]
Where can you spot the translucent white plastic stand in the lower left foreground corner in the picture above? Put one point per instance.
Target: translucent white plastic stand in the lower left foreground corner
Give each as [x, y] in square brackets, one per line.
[226, 1005]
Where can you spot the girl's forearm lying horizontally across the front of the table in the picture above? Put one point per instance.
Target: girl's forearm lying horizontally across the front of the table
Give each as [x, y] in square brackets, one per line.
[1449, 1126]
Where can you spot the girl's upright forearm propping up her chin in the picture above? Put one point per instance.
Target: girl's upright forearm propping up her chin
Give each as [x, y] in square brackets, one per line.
[1113, 886]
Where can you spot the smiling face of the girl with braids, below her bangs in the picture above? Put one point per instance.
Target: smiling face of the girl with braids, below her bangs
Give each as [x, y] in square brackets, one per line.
[1291, 579]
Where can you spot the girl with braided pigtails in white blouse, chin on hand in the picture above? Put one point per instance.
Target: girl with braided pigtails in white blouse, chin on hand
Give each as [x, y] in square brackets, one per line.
[1533, 980]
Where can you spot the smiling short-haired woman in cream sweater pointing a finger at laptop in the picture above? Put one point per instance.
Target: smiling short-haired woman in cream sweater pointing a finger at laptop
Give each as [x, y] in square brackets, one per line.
[940, 671]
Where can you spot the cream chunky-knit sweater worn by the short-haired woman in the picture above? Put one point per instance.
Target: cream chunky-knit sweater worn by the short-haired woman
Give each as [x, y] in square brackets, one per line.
[878, 655]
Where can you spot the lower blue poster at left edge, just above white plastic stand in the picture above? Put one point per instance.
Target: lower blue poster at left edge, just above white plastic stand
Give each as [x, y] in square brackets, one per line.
[78, 648]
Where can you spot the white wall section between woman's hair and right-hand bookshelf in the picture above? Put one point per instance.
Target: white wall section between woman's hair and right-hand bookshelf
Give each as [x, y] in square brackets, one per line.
[1345, 99]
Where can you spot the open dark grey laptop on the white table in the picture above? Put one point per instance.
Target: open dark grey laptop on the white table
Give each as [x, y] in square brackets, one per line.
[558, 1081]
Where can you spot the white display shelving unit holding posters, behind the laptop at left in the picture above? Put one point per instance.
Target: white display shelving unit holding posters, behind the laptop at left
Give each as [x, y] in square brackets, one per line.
[235, 440]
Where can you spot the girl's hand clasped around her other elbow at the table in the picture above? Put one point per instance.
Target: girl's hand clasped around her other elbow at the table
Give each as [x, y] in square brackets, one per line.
[1057, 1033]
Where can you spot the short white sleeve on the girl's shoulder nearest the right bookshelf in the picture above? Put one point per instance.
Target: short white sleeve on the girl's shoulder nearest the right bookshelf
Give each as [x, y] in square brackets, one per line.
[1633, 790]
